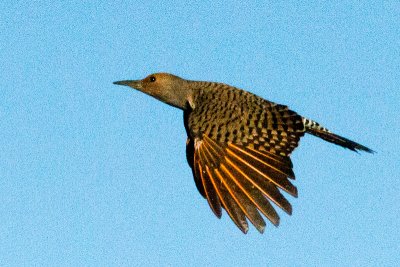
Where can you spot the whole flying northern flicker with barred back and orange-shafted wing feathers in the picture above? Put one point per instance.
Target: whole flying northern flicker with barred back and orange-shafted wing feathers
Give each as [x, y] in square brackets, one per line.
[238, 145]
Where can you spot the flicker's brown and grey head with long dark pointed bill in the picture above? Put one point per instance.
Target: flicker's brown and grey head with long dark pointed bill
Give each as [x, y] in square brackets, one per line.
[166, 87]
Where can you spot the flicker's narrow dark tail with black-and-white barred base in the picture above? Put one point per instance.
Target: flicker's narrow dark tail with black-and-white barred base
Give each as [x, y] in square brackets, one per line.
[314, 128]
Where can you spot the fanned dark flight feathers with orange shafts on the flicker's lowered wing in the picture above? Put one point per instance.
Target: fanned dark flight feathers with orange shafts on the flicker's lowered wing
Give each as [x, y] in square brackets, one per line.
[243, 181]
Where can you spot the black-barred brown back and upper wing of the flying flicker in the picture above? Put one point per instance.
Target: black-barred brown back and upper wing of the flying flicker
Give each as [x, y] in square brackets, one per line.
[231, 115]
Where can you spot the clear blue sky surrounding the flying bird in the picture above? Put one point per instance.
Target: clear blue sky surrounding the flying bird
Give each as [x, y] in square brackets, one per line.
[94, 174]
